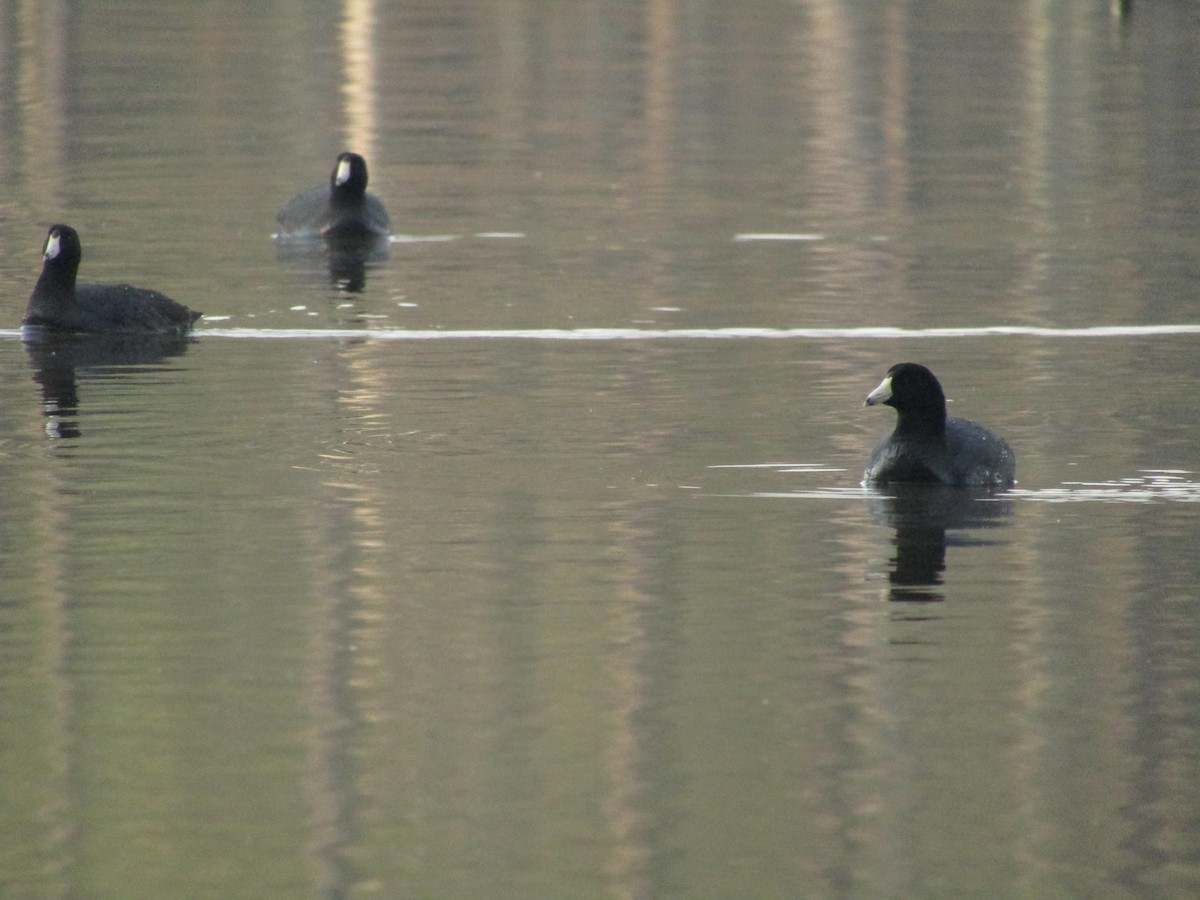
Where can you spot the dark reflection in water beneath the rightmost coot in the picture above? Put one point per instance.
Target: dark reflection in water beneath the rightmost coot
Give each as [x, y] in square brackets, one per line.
[927, 520]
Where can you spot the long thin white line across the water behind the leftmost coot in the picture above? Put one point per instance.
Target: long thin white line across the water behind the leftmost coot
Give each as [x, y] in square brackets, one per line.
[681, 334]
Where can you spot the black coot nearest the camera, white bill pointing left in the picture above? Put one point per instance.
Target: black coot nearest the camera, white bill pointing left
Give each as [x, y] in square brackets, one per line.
[928, 447]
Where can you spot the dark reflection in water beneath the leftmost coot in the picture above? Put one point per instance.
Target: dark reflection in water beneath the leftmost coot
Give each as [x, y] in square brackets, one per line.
[59, 361]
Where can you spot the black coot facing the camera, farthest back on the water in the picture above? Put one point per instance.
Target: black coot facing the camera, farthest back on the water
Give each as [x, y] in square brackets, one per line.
[343, 212]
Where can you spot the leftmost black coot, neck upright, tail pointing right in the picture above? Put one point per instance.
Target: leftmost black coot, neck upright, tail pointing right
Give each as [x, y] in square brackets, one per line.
[58, 304]
